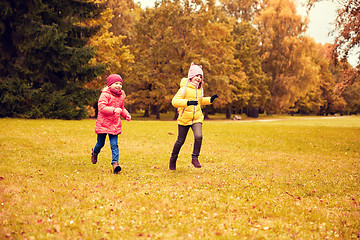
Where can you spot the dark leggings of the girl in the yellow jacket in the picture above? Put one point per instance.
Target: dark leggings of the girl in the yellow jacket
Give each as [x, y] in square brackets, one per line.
[182, 133]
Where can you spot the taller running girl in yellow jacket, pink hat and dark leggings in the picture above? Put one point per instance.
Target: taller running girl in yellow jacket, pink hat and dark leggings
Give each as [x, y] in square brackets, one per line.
[188, 101]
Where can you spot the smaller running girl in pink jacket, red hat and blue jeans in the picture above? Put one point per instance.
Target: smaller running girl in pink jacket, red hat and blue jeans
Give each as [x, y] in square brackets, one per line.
[111, 107]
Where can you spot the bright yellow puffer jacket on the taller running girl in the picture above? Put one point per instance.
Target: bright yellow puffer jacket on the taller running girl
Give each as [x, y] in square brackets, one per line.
[188, 115]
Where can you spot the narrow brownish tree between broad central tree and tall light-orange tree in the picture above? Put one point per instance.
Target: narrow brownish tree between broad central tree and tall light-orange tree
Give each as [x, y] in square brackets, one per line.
[253, 93]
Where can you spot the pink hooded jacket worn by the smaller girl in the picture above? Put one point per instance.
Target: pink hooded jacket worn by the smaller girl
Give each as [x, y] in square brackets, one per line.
[108, 121]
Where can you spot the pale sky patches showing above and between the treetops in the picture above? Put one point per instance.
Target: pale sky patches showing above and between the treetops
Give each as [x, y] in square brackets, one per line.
[321, 22]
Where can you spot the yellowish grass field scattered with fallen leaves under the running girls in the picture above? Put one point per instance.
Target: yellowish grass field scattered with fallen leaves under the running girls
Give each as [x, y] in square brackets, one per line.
[297, 178]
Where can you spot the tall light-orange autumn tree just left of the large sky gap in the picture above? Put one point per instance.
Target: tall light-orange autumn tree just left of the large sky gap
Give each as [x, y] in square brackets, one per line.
[284, 53]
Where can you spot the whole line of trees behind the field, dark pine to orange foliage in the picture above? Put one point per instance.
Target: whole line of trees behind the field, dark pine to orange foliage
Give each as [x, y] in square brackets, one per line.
[56, 54]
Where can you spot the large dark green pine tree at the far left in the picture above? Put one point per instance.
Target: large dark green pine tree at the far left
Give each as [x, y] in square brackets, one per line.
[44, 61]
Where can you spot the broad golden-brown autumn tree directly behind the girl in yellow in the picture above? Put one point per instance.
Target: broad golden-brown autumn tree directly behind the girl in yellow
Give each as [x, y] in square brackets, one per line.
[171, 36]
